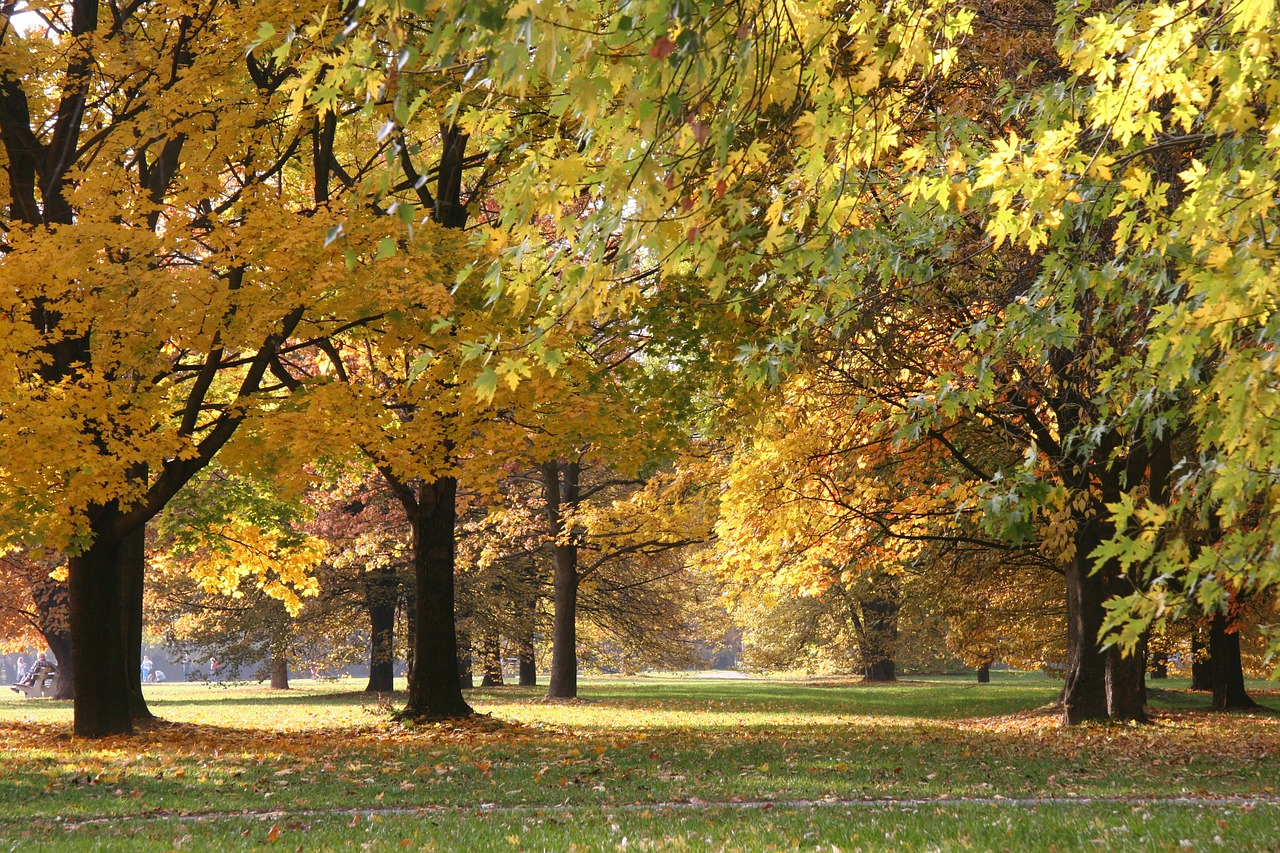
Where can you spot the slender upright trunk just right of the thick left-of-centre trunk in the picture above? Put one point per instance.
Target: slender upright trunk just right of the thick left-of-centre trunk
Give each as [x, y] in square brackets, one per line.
[563, 489]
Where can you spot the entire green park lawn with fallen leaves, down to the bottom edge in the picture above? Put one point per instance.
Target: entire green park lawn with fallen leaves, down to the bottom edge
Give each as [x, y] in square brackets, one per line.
[648, 764]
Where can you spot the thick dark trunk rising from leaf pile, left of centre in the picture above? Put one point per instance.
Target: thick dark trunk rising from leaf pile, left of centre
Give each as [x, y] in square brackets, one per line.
[435, 690]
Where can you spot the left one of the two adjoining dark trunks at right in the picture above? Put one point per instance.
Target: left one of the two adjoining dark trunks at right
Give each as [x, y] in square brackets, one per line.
[1085, 695]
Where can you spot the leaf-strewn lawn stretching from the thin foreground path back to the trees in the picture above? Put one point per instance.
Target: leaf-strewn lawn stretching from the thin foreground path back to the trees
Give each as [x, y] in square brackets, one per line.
[701, 749]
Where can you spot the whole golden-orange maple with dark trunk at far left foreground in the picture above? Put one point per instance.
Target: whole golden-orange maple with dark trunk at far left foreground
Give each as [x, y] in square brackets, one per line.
[175, 299]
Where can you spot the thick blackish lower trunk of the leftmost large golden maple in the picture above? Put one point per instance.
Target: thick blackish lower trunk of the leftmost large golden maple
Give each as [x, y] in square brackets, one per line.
[99, 662]
